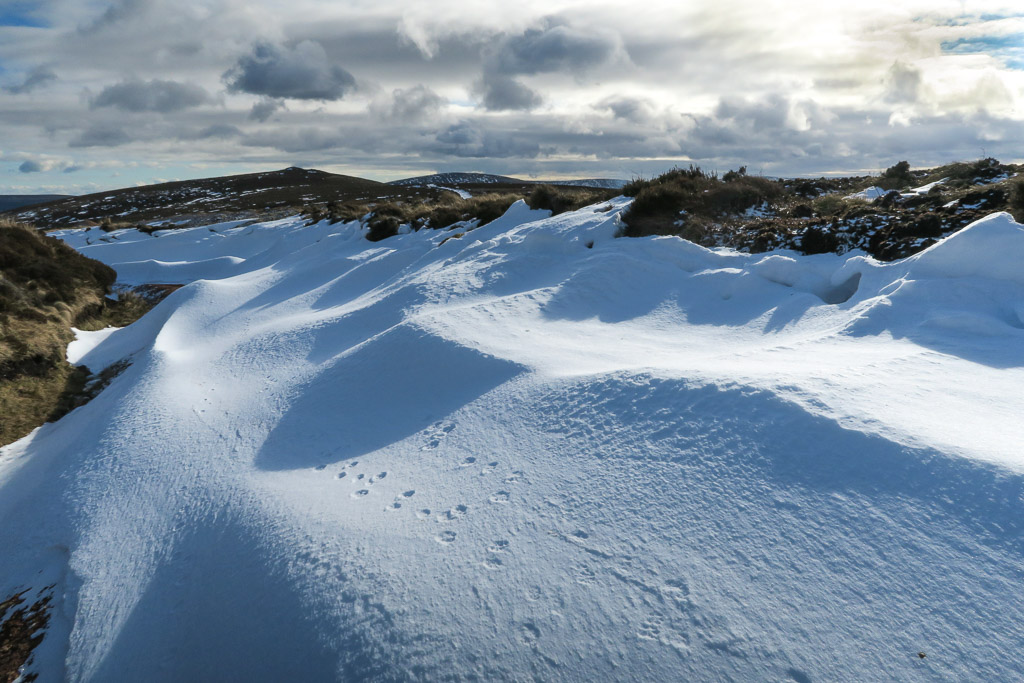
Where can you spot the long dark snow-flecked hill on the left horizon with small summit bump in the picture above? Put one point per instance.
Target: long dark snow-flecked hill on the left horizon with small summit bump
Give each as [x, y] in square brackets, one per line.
[228, 197]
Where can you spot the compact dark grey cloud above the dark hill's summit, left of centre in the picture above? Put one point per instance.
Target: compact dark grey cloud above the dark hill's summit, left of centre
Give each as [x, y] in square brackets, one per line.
[301, 73]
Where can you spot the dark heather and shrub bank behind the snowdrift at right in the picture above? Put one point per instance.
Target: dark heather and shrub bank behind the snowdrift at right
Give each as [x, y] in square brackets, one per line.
[825, 216]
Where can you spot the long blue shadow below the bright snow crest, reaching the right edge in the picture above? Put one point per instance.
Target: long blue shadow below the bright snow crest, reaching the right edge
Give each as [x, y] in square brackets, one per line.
[748, 437]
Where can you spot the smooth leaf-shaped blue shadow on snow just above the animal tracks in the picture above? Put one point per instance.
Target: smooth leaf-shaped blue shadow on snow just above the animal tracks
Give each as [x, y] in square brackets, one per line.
[379, 394]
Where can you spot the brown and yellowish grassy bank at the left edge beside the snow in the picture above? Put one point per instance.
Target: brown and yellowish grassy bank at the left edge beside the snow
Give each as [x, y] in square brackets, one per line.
[46, 289]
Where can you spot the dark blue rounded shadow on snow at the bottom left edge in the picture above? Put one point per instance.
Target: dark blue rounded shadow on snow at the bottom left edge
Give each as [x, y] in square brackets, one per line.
[219, 609]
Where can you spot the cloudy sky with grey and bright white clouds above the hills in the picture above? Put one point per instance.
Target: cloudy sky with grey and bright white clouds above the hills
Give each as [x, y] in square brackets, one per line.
[97, 95]
